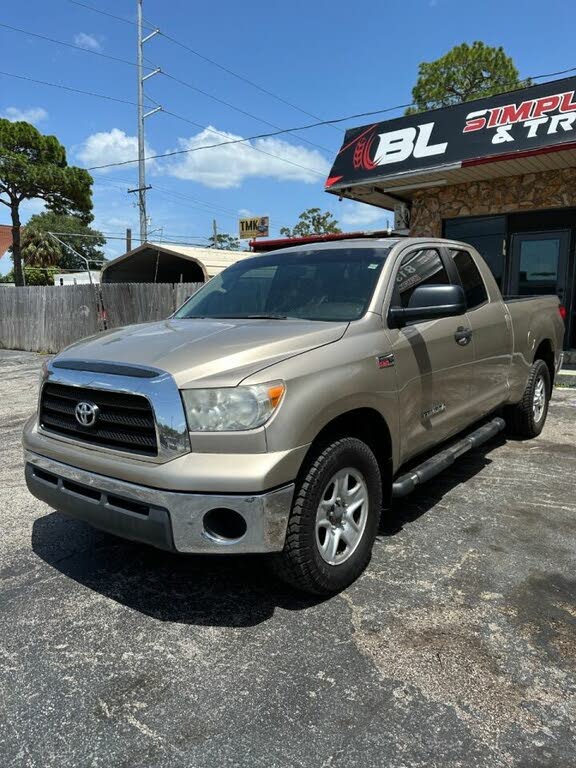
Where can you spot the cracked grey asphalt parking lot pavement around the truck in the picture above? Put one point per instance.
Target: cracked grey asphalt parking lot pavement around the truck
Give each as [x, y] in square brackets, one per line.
[456, 648]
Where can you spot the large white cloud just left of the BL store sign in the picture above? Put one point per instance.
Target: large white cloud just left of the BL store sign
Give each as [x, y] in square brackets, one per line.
[228, 165]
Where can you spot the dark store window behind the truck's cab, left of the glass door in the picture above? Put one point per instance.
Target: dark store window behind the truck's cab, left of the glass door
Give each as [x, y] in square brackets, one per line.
[485, 233]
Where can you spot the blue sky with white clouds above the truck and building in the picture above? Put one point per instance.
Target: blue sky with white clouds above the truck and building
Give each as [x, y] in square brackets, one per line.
[328, 57]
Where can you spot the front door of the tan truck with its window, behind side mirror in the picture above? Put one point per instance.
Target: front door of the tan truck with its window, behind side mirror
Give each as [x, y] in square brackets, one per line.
[433, 367]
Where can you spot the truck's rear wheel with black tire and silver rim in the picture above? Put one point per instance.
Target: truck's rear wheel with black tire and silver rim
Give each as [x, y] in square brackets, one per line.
[526, 419]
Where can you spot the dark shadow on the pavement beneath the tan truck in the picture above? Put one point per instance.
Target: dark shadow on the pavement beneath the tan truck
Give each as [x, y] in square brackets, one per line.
[232, 591]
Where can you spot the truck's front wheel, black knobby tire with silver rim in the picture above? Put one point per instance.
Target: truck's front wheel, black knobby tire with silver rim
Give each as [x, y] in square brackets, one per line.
[339, 474]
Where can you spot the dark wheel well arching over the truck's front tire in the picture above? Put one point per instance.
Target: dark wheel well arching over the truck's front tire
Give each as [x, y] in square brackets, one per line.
[367, 425]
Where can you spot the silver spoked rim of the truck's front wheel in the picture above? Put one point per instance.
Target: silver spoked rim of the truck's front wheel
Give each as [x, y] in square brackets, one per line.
[341, 516]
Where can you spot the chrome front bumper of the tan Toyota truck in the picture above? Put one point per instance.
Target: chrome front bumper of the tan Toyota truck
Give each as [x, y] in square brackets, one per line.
[170, 520]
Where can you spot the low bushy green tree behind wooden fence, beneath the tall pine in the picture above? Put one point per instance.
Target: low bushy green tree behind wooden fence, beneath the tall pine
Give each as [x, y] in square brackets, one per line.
[72, 231]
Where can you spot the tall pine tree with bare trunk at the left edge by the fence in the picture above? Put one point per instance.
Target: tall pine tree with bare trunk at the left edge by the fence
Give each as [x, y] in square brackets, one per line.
[34, 166]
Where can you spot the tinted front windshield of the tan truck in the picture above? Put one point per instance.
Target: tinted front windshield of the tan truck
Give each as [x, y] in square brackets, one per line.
[323, 284]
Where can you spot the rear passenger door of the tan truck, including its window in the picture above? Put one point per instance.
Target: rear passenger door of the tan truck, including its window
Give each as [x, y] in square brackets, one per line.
[492, 339]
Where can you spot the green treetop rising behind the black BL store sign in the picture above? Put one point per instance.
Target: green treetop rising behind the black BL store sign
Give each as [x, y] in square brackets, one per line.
[466, 72]
